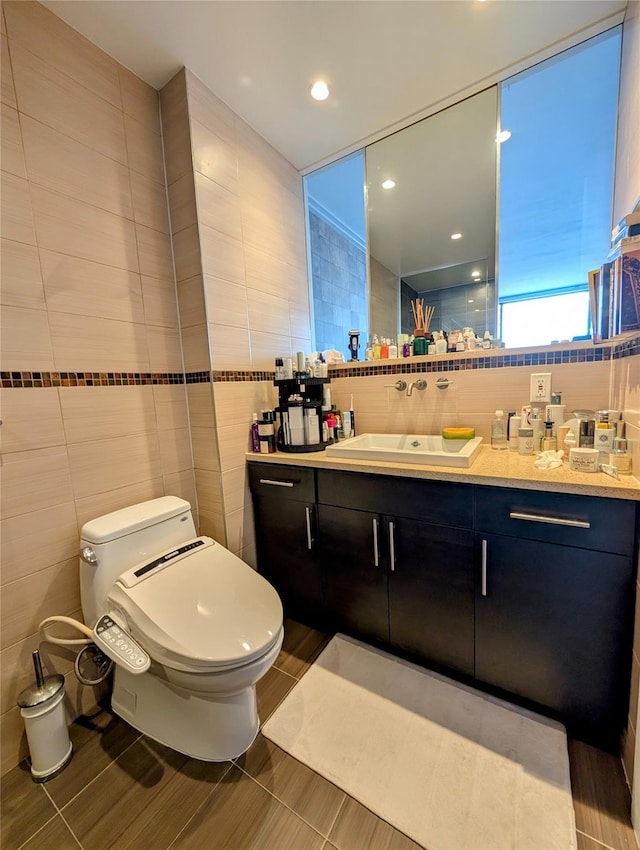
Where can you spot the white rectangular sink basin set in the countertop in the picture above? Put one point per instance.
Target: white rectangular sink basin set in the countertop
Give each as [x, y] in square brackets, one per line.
[408, 448]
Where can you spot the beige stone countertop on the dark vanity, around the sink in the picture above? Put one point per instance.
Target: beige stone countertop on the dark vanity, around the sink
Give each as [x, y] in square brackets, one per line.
[491, 468]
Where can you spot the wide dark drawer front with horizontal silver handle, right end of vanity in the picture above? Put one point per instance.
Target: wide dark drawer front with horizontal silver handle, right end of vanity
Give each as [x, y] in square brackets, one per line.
[607, 525]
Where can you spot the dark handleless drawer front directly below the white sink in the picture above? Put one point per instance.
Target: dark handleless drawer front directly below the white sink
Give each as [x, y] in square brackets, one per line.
[432, 501]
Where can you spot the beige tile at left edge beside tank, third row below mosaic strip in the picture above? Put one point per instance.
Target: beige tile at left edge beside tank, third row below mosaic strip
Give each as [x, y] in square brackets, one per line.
[32, 541]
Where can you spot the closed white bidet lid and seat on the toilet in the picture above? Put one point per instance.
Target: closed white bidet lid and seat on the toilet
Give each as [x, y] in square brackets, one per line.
[200, 606]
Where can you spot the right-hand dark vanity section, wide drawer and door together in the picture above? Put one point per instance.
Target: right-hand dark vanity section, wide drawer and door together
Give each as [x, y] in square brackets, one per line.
[554, 602]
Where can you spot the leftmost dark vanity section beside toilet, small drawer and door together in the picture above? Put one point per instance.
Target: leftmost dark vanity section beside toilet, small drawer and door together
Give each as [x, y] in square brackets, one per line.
[284, 504]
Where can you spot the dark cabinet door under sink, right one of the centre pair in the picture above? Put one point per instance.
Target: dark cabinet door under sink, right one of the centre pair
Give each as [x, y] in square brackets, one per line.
[431, 592]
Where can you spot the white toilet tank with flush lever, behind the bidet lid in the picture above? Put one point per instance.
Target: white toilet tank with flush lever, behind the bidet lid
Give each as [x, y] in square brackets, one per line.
[122, 539]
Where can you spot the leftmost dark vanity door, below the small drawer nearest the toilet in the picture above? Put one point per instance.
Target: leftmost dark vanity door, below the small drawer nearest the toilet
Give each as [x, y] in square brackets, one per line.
[286, 547]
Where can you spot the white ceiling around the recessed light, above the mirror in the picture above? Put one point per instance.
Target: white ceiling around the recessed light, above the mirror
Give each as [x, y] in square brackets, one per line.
[388, 62]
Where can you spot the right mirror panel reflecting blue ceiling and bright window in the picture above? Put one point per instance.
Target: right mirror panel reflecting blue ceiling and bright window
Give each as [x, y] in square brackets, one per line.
[555, 189]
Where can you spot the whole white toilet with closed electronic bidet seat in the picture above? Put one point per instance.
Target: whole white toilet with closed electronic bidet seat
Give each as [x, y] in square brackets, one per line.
[210, 624]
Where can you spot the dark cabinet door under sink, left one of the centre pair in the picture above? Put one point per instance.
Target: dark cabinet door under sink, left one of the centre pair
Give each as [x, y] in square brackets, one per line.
[354, 586]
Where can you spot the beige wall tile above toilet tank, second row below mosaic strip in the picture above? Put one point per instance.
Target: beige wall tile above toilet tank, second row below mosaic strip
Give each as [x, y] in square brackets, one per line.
[102, 465]
